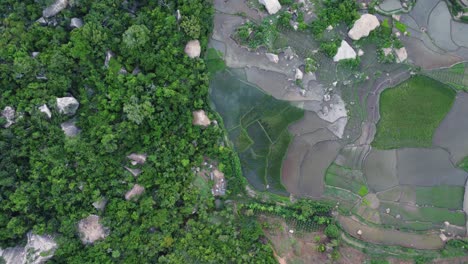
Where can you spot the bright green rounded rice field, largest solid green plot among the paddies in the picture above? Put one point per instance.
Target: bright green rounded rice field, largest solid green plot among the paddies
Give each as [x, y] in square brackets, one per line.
[411, 112]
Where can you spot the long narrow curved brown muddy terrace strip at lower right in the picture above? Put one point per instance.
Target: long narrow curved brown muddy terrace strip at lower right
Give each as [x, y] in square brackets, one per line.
[390, 237]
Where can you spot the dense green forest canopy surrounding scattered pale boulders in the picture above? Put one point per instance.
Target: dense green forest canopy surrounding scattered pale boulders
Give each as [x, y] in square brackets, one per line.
[41, 171]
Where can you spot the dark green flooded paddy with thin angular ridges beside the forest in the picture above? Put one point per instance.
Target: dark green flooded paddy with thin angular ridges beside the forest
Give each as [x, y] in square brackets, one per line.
[257, 125]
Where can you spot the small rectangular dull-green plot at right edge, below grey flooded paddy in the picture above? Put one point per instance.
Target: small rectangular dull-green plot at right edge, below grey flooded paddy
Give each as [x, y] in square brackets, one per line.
[450, 197]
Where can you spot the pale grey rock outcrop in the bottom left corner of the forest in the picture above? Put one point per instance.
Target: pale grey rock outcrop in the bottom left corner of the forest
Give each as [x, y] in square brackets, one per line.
[38, 249]
